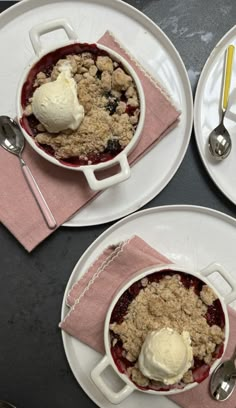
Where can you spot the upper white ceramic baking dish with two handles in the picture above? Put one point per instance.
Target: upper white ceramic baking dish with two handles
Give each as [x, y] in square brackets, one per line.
[121, 159]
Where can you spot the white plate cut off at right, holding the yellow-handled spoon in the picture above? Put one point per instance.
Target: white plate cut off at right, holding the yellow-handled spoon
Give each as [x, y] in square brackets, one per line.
[206, 116]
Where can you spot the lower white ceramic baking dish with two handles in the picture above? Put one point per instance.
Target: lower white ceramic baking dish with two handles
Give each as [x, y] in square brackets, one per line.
[129, 387]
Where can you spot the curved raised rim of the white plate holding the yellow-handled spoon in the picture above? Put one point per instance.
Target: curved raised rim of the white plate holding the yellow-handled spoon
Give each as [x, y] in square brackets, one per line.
[197, 102]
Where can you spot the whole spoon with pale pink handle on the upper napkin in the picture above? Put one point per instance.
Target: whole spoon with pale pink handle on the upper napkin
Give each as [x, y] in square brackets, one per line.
[12, 140]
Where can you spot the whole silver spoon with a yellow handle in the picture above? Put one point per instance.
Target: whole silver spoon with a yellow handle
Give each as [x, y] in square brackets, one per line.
[219, 140]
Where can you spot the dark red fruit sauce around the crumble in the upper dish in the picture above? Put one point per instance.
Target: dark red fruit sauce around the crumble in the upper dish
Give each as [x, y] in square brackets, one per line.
[46, 64]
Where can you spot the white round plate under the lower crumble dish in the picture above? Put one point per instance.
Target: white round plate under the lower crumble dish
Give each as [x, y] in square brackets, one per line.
[191, 236]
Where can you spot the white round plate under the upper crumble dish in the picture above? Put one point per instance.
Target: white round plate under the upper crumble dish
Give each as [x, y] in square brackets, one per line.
[150, 46]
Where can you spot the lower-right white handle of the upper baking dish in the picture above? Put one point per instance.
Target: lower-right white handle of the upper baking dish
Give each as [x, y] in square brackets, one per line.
[97, 185]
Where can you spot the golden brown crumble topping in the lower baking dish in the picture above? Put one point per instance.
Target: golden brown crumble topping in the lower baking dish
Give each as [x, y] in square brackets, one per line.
[168, 303]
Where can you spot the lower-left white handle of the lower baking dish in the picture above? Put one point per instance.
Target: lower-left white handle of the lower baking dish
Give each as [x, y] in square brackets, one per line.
[112, 396]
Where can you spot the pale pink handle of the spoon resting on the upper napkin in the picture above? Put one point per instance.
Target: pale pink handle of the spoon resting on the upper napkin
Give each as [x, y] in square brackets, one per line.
[50, 220]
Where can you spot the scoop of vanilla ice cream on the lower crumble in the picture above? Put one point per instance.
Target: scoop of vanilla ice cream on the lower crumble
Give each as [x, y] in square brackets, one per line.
[166, 355]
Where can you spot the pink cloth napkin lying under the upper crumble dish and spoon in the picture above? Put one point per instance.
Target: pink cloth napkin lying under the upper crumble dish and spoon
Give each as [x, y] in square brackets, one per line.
[67, 191]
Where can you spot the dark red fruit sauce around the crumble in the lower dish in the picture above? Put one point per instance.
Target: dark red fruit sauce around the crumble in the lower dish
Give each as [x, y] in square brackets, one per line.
[214, 315]
